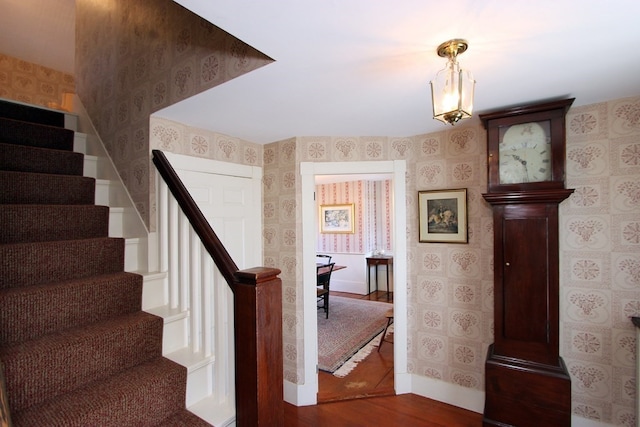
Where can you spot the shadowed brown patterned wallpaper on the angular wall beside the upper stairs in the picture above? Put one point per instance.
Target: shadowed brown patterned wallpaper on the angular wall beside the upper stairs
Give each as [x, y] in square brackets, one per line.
[135, 58]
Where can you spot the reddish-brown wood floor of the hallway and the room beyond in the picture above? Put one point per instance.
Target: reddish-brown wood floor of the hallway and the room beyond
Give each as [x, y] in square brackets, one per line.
[366, 397]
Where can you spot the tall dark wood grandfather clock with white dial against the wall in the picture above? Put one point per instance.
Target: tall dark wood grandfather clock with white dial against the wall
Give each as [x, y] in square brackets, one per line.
[526, 380]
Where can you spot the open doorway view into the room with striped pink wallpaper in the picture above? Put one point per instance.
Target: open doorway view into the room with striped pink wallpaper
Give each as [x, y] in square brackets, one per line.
[370, 370]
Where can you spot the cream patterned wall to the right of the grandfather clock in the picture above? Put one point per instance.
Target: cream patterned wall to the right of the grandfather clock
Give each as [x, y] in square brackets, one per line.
[600, 255]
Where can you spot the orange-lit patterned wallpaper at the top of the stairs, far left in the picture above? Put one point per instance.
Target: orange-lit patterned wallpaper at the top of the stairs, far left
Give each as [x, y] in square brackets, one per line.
[32, 83]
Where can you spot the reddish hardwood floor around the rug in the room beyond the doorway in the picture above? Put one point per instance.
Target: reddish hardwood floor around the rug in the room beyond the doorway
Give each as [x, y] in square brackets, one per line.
[372, 377]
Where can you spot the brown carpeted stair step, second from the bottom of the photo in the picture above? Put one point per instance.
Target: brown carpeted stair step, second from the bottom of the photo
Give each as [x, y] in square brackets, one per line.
[59, 363]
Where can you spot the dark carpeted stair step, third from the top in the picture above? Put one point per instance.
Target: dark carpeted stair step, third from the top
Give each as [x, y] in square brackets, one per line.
[20, 158]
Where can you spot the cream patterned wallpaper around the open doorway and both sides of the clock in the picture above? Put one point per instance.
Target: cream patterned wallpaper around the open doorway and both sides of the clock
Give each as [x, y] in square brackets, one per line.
[451, 285]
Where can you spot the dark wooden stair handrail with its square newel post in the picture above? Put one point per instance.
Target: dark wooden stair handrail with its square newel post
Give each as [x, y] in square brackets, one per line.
[257, 317]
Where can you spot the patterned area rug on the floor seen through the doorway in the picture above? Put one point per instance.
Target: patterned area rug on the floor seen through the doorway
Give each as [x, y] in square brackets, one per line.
[352, 323]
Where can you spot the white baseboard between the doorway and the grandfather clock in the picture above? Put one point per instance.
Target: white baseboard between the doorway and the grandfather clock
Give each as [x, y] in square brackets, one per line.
[450, 393]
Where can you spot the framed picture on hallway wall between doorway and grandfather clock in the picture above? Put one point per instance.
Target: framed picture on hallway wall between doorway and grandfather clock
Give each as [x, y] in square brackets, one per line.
[443, 216]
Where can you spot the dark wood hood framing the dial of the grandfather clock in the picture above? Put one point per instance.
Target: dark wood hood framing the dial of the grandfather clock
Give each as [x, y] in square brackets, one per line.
[554, 112]
